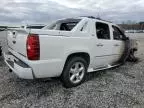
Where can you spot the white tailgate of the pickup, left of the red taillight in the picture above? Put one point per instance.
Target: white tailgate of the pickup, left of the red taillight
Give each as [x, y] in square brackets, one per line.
[17, 40]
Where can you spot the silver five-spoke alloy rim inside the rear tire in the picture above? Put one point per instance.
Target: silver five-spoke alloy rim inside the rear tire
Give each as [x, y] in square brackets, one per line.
[76, 72]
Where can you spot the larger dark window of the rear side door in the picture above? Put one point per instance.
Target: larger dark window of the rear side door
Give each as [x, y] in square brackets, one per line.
[102, 30]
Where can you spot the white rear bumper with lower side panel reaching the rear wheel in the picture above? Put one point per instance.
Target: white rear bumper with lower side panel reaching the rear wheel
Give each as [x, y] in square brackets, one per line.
[28, 69]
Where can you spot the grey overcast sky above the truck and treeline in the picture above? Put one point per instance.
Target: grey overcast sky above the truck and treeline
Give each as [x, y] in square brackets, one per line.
[44, 11]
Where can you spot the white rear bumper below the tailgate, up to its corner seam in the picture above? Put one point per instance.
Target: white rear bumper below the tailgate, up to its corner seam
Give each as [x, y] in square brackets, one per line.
[21, 69]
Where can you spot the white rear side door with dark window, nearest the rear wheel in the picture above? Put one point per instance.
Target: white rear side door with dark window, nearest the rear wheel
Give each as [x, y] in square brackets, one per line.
[103, 45]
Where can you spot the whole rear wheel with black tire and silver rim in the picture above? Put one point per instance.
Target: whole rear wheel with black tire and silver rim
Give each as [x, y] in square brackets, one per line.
[74, 72]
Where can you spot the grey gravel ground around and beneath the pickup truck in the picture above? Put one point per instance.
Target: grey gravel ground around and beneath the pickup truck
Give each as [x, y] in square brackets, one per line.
[121, 87]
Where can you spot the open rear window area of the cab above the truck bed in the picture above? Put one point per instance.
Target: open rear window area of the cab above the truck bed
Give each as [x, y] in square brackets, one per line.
[65, 25]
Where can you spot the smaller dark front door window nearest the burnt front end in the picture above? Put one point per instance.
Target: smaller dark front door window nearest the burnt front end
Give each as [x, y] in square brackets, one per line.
[118, 35]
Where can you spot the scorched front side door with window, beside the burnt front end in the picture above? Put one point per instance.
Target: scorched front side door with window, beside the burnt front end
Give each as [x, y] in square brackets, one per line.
[118, 43]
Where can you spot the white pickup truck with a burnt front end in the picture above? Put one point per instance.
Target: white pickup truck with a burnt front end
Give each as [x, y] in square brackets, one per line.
[68, 48]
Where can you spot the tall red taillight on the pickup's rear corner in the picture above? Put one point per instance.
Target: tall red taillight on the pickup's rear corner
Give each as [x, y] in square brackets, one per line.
[33, 47]
